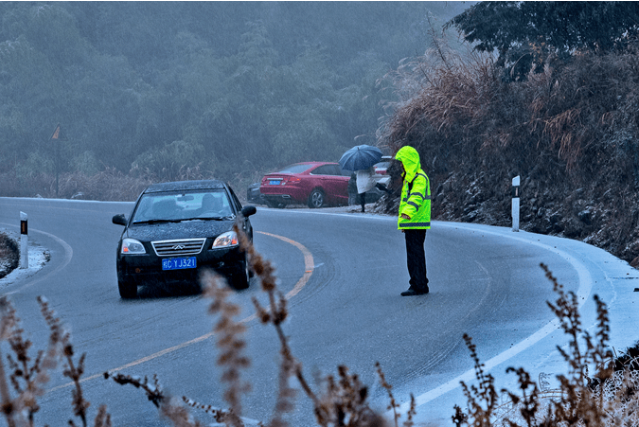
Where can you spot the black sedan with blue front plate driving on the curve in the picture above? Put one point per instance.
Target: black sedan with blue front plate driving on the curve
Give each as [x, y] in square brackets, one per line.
[178, 229]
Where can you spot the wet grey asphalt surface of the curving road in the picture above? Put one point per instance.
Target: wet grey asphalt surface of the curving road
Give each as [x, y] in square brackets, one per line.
[349, 311]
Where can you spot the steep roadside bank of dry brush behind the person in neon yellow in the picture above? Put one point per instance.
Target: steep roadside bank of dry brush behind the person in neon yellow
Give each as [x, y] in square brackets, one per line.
[570, 130]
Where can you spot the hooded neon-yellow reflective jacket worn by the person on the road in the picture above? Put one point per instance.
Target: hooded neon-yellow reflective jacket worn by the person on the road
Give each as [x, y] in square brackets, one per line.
[415, 201]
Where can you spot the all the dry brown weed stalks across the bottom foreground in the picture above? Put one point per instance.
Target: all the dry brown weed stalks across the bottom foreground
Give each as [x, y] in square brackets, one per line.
[609, 397]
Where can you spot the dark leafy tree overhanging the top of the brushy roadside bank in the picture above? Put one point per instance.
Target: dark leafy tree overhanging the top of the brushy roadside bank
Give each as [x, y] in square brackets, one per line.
[525, 34]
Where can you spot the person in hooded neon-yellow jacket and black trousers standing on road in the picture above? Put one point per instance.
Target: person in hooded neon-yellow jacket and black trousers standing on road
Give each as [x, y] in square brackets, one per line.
[414, 218]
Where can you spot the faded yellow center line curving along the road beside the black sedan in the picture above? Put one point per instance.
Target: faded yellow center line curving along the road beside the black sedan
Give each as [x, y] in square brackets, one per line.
[308, 271]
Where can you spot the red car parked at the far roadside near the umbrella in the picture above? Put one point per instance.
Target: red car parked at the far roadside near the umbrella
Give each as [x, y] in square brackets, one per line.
[314, 183]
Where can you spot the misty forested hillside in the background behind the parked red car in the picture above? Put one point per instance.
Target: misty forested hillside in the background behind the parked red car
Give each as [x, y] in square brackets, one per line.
[166, 90]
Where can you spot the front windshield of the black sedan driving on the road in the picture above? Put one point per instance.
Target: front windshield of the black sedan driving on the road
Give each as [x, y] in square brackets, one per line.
[183, 206]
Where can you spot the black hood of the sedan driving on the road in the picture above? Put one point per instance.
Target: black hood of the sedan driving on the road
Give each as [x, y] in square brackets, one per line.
[178, 230]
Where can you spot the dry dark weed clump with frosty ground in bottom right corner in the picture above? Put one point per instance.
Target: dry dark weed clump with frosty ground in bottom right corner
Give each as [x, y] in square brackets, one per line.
[608, 398]
